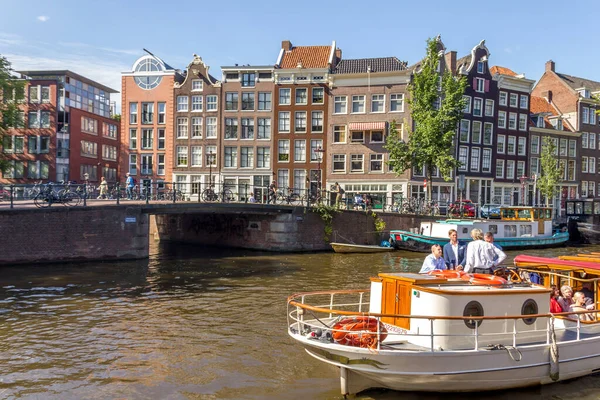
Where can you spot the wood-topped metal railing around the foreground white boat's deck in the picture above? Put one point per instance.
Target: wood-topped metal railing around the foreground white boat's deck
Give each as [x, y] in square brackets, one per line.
[308, 319]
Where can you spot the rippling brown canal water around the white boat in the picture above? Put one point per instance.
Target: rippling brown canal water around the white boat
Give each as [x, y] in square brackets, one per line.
[189, 323]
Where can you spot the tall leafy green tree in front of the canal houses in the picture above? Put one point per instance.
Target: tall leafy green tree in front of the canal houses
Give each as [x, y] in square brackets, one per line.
[436, 113]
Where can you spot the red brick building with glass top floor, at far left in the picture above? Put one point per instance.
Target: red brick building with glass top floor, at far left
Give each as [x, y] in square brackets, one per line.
[66, 131]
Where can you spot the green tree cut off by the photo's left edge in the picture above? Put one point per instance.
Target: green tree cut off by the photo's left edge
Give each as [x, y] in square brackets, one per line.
[11, 93]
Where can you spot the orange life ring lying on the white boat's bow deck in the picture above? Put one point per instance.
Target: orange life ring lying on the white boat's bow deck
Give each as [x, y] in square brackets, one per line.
[359, 332]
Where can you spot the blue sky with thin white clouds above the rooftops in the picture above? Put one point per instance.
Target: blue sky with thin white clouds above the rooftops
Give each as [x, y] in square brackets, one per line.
[101, 39]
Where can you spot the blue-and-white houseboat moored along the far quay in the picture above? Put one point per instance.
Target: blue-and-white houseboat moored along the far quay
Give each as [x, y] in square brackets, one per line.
[519, 228]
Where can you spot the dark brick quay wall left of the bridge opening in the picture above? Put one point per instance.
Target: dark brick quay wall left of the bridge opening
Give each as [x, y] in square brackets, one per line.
[59, 234]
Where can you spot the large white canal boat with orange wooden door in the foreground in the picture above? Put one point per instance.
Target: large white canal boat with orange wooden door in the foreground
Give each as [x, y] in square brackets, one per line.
[445, 332]
